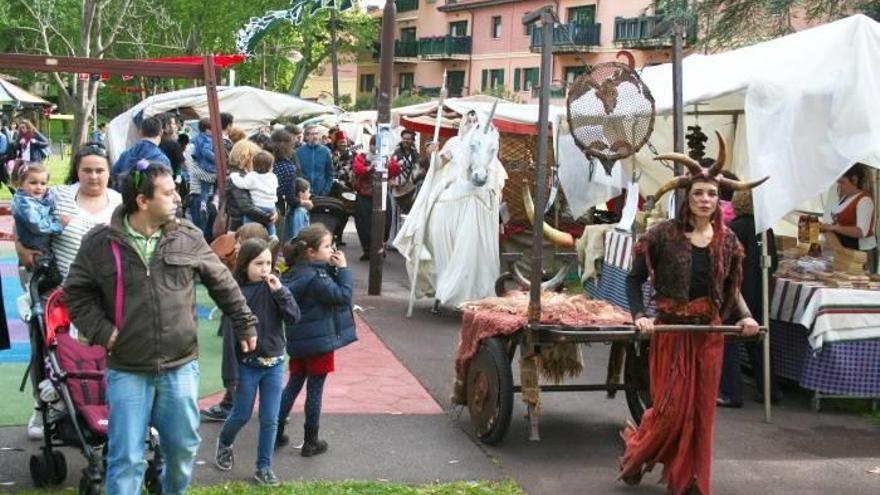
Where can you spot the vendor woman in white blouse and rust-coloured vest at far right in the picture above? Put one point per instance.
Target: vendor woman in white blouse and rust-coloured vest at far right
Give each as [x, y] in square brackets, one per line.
[853, 214]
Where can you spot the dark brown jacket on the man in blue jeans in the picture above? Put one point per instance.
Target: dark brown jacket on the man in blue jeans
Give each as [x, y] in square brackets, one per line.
[159, 329]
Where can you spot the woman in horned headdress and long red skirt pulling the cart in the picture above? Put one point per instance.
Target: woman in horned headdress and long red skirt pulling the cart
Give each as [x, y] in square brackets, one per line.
[695, 266]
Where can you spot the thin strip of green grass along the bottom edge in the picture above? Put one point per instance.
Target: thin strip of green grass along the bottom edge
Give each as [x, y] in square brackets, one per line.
[346, 488]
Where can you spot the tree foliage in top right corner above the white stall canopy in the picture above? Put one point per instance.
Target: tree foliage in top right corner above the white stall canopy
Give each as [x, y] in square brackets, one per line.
[726, 24]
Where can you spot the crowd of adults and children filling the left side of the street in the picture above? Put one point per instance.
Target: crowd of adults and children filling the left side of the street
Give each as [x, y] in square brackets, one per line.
[149, 218]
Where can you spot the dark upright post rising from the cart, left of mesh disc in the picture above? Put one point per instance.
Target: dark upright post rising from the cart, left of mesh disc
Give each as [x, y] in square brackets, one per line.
[546, 16]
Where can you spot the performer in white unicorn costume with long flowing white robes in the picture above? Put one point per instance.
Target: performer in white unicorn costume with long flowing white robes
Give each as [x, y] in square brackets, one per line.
[450, 236]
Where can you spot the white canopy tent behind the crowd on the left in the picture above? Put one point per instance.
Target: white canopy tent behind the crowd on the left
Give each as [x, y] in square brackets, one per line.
[252, 108]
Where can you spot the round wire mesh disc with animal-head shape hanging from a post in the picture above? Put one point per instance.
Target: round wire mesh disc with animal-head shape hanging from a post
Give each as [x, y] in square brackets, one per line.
[610, 112]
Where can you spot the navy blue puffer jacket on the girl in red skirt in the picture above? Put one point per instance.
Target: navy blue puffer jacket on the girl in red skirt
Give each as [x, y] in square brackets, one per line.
[324, 297]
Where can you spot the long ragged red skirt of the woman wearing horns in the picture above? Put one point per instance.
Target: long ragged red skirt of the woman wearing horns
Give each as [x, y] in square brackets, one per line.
[677, 431]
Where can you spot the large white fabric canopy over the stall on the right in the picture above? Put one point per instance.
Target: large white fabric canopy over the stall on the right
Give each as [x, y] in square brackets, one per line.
[801, 109]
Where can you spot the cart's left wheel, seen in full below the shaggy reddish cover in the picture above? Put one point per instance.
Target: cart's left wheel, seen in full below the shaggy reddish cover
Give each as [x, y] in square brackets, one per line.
[490, 391]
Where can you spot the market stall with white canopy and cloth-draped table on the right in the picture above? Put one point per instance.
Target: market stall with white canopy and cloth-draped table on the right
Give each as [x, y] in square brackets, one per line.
[784, 107]
